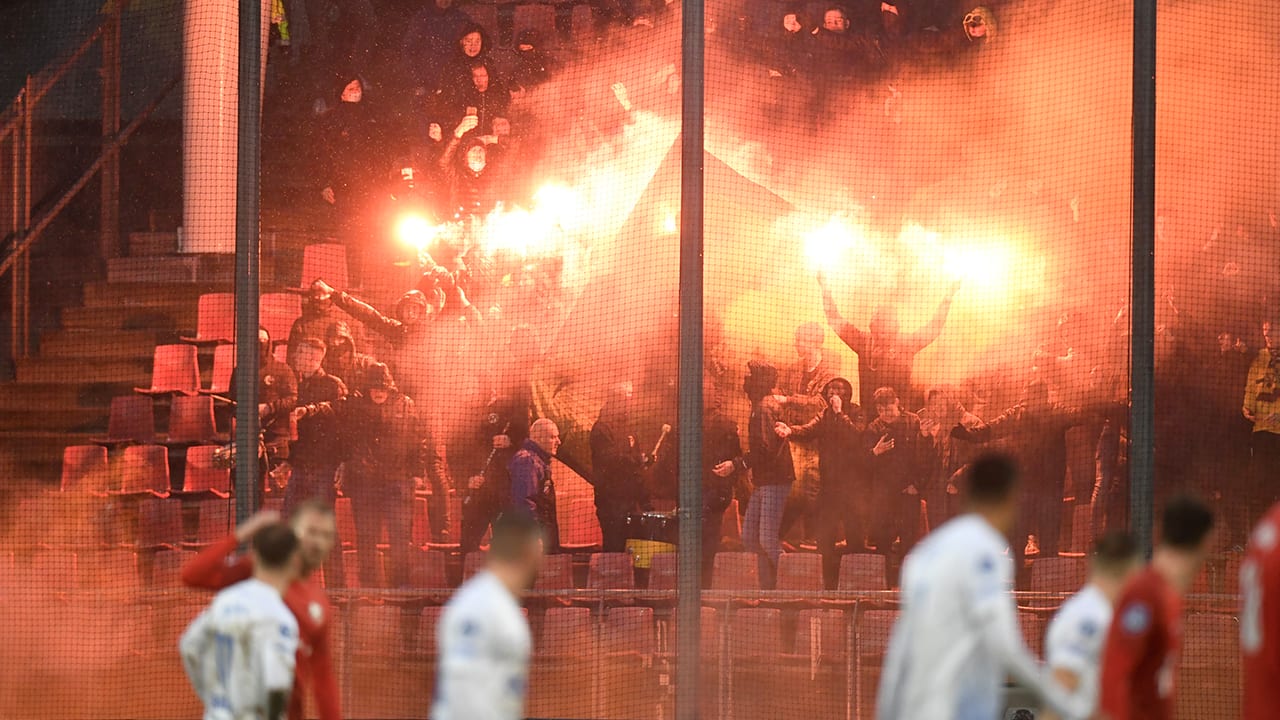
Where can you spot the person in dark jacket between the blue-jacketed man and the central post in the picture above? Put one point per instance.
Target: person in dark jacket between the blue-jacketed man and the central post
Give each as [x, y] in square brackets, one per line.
[618, 468]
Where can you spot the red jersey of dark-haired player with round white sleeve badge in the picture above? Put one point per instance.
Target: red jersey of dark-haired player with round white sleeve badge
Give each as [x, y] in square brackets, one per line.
[1141, 658]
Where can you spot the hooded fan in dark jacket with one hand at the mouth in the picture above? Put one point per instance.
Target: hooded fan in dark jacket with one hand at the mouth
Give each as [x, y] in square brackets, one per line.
[843, 463]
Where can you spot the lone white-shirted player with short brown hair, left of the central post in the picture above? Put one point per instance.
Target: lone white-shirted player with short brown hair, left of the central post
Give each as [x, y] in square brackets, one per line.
[483, 636]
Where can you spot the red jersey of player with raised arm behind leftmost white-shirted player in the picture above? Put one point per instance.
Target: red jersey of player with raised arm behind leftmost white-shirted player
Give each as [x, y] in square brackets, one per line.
[213, 569]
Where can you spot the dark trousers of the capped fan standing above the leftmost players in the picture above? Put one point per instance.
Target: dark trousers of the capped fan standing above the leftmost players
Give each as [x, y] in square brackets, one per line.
[378, 504]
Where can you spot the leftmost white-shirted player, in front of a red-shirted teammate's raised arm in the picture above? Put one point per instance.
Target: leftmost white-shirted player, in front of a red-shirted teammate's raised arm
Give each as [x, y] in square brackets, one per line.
[240, 653]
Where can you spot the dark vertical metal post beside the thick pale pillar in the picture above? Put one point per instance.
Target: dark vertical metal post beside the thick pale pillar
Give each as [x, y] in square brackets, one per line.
[248, 180]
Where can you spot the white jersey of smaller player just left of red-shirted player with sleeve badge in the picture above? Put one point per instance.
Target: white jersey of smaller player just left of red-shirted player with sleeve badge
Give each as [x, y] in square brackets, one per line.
[1077, 639]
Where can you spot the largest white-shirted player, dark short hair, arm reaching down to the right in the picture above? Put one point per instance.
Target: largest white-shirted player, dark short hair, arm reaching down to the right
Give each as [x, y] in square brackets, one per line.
[958, 637]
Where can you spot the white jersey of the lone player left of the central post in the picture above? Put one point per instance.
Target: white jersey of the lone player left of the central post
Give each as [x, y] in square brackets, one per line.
[484, 648]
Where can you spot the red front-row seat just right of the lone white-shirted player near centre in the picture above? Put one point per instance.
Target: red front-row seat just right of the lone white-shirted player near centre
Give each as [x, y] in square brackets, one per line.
[564, 680]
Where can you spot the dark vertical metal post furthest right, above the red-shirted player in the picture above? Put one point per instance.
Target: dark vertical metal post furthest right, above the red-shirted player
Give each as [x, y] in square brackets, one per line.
[1142, 336]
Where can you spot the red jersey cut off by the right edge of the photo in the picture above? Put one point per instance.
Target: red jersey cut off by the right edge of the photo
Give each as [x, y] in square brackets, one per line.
[1260, 619]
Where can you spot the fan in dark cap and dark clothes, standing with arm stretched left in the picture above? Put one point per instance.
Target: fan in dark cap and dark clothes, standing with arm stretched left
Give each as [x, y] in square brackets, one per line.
[386, 452]
